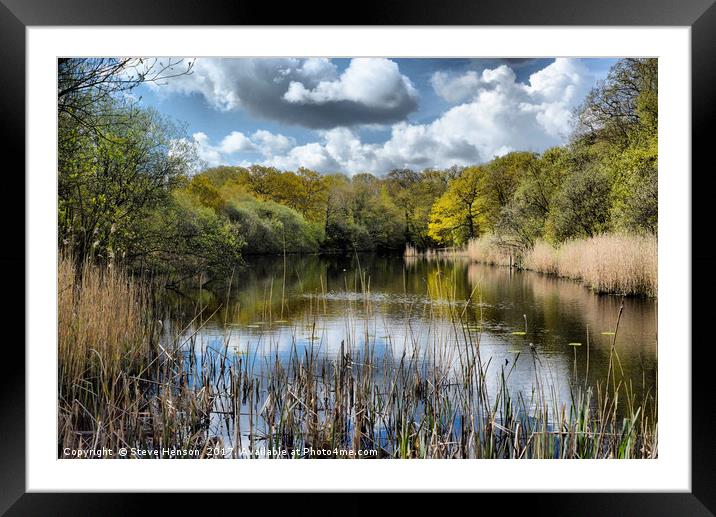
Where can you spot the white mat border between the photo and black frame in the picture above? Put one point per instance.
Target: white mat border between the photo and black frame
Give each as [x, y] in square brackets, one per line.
[671, 471]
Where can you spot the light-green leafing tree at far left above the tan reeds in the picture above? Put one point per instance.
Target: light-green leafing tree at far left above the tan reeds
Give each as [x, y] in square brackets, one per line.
[107, 180]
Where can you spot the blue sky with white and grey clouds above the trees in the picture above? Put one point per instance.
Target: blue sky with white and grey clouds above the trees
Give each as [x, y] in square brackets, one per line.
[374, 114]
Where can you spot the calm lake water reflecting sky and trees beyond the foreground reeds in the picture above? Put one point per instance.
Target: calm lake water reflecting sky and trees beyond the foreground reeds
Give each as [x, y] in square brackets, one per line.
[529, 329]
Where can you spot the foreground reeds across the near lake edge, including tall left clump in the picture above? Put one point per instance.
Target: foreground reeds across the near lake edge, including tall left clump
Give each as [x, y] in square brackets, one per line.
[124, 385]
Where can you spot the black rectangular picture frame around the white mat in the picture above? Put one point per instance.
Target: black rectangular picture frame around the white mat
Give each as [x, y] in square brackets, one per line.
[700, 15]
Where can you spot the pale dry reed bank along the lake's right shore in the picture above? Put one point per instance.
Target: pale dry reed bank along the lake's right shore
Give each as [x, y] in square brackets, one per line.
[612, 263]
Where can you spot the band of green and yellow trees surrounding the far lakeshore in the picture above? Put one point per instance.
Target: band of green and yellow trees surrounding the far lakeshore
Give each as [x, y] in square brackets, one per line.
[132, 190]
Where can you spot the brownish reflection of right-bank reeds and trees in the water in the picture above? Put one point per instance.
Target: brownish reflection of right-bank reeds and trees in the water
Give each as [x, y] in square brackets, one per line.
[558, 313]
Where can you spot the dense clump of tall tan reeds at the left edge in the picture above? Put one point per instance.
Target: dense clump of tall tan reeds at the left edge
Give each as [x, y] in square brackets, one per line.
[106, 337]
